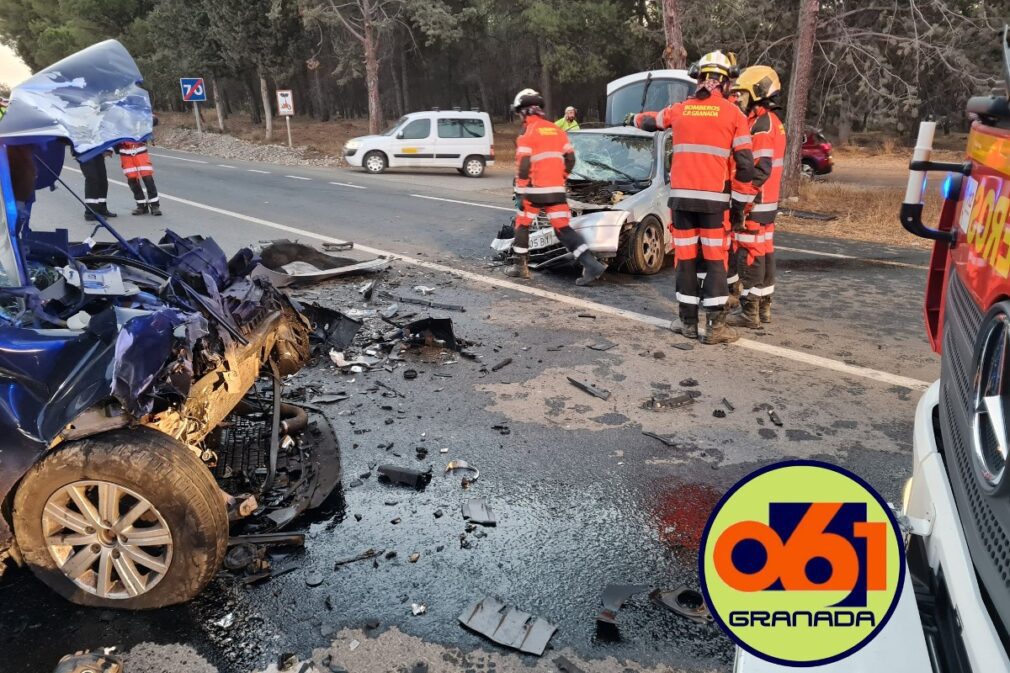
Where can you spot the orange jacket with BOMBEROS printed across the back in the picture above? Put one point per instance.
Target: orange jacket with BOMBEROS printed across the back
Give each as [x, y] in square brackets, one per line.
[712, 147]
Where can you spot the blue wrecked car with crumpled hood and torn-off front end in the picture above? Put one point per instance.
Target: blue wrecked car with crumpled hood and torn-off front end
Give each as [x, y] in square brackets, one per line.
[140, 381]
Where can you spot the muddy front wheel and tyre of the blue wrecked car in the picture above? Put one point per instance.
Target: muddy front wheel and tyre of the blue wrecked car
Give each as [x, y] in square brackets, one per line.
[130, 520]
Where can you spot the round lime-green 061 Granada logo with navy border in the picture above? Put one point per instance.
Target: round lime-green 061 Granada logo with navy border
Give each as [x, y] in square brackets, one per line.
[802, 563]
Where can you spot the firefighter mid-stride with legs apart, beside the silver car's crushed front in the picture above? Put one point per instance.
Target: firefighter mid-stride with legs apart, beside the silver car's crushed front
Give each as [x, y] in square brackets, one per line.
[544, 158]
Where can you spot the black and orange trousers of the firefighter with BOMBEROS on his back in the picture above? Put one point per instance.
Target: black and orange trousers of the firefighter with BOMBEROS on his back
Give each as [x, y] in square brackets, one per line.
[700, 235]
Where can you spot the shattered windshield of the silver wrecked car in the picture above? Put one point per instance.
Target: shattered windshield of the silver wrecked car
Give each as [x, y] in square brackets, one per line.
[613, 157]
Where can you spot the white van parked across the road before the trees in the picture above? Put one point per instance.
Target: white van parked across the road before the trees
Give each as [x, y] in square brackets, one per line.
[441, 139]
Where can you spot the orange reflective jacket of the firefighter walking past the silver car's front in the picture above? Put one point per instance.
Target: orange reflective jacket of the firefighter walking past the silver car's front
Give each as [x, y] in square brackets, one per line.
[544, 158]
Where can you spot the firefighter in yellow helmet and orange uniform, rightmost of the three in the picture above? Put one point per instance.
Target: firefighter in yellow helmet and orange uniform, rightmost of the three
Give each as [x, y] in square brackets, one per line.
[758, 89]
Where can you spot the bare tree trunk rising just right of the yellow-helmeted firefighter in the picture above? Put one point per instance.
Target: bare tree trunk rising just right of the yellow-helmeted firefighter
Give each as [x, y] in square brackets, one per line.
[799, 88]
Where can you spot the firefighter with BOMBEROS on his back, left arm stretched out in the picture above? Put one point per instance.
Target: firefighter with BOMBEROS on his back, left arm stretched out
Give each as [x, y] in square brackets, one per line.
[712, 146]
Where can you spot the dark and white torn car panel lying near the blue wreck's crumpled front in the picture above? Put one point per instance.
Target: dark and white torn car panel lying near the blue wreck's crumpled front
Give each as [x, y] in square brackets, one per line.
[287, 264]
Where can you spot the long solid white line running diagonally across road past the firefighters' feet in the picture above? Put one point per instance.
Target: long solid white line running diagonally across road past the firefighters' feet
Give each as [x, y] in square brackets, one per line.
[759, 347]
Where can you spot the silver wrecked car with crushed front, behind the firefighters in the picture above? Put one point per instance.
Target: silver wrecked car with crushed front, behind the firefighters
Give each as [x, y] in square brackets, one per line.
[618, 193]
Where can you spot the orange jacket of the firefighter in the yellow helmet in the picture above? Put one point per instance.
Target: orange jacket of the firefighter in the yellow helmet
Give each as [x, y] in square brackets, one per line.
[768, 137]
